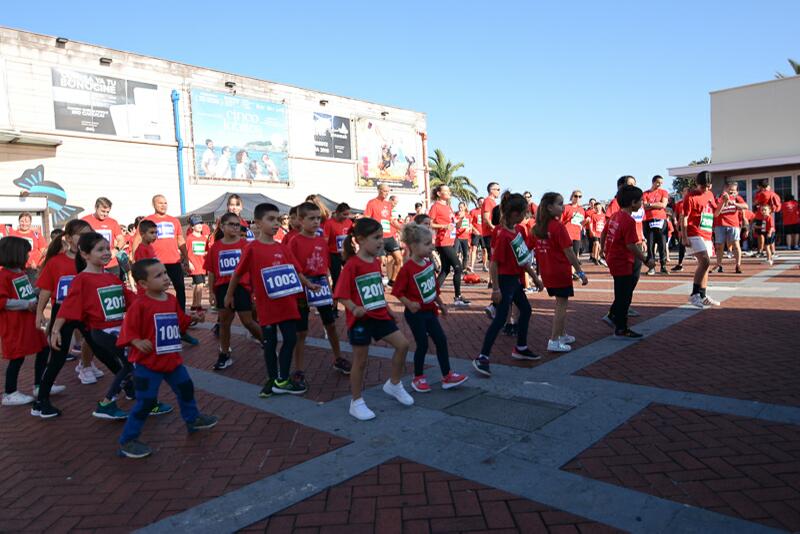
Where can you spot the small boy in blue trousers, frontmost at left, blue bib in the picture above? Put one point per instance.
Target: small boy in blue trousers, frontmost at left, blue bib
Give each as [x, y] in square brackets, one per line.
[152, 329]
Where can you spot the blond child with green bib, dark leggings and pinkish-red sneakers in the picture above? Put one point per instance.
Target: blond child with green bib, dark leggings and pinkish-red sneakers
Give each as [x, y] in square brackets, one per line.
[417, 289]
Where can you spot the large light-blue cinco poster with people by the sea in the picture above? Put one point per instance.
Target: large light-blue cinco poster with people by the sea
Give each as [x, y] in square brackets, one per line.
[239, 139]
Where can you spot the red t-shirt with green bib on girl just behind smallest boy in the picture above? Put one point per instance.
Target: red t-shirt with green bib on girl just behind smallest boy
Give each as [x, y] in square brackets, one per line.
[98, 300]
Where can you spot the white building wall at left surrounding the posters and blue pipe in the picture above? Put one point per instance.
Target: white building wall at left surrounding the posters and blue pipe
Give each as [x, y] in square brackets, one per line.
[130, 171]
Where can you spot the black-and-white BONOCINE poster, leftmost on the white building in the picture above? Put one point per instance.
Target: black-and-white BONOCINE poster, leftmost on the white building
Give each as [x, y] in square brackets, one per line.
[91, 103]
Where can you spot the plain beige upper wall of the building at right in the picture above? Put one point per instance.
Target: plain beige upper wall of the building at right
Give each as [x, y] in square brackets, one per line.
[756, 121]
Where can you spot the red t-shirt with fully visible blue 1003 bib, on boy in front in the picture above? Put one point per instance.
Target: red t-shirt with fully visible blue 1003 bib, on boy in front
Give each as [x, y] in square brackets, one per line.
[273, 270]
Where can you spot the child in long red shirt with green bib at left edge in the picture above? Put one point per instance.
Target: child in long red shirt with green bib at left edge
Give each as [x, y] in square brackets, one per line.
[18, 331]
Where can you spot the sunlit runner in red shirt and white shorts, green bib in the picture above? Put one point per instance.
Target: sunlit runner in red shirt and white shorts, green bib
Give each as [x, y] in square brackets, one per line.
[699, 209]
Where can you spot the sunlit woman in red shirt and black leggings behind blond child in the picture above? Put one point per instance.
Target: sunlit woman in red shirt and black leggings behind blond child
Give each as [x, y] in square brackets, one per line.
[443, 222]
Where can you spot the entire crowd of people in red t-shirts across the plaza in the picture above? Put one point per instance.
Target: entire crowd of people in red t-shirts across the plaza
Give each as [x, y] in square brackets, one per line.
[117, 294]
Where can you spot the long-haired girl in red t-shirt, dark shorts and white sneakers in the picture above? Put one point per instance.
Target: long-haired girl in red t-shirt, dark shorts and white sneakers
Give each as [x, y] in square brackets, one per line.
[555, 258]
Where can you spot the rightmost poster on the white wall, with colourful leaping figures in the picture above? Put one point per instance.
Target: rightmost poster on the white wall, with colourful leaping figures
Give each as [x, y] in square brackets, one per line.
[389, 153]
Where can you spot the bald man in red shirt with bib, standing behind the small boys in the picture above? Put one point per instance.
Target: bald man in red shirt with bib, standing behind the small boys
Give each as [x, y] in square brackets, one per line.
[170, 246]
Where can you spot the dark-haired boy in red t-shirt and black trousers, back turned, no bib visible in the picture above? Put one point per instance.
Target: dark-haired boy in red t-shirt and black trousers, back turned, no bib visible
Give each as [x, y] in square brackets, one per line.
[622, 247]
